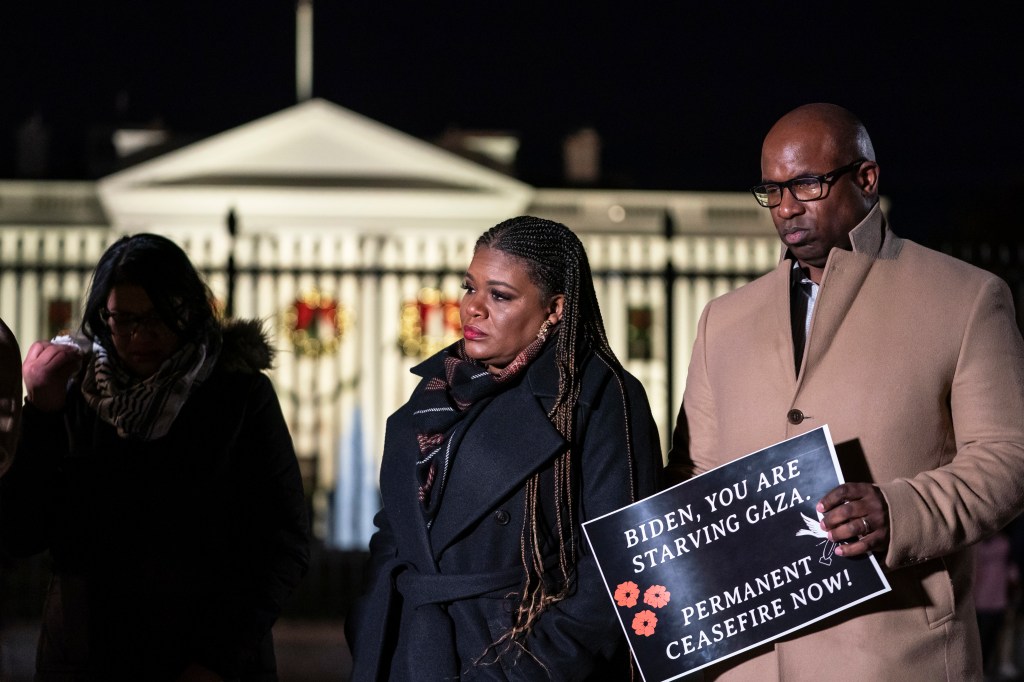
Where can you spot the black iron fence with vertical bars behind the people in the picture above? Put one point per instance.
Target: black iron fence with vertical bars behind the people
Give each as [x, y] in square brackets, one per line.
[387, 314]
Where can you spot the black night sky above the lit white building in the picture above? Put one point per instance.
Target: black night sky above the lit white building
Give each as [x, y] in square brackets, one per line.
[681, 95]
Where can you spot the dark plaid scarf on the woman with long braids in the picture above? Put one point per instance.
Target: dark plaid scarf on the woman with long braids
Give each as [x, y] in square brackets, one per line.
[441, 410]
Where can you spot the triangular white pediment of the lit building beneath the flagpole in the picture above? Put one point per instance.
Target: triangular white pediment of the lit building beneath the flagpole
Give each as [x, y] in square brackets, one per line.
[313, 165]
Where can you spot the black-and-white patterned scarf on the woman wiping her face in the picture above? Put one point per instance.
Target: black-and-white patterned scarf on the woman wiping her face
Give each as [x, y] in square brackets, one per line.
[145, 410]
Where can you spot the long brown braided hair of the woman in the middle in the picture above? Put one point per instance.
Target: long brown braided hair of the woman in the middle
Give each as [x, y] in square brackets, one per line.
[558, 264]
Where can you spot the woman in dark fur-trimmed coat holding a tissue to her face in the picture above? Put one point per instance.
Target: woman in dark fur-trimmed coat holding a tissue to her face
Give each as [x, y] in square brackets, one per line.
[156, 467]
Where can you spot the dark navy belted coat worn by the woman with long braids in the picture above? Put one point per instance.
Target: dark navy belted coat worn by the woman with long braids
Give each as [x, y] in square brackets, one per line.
[440, 599]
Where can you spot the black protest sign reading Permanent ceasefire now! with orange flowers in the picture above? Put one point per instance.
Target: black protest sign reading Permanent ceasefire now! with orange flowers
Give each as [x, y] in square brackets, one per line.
[730, 560]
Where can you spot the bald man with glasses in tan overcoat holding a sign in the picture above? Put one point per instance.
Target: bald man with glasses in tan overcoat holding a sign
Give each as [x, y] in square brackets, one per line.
[915, 362]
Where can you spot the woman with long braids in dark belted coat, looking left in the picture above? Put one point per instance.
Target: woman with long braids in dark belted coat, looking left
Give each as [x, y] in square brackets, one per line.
[516, 436]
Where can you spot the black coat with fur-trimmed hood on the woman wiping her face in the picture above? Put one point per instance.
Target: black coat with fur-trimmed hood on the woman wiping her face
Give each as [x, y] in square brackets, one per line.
[167, 552]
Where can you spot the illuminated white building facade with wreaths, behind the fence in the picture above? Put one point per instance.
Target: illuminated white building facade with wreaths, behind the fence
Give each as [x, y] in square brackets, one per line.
[350, 240]
